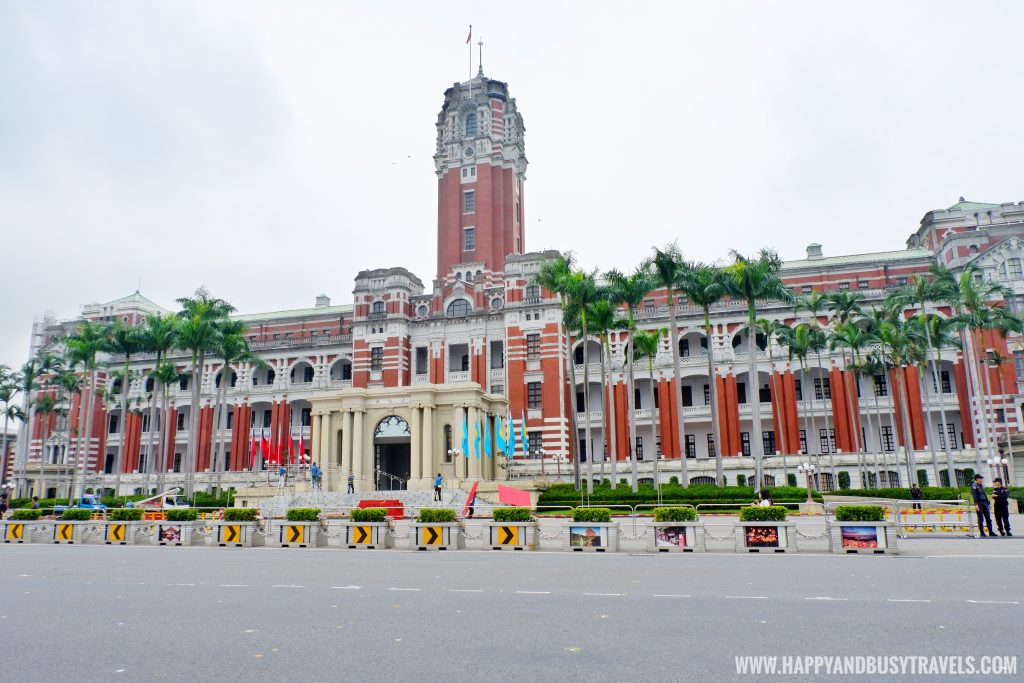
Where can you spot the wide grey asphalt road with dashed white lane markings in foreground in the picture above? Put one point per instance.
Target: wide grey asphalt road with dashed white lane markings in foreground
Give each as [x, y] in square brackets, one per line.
[133, 614]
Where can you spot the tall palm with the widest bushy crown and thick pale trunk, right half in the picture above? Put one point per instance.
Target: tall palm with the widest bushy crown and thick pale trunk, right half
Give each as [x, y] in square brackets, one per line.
[754, 280]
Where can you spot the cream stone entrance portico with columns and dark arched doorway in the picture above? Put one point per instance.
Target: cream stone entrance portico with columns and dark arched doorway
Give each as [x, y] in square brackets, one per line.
[386, 435]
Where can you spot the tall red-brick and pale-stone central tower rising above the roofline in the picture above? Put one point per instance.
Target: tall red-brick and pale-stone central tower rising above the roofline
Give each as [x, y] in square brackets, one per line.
[481, 162]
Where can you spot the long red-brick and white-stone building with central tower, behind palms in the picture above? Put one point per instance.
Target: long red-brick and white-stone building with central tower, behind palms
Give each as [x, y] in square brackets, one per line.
[386, 387]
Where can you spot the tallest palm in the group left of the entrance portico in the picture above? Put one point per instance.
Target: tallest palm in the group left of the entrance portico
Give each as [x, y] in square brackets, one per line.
[201, 315]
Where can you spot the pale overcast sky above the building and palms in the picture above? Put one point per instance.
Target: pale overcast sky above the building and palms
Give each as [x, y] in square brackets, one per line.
[270, 151]
